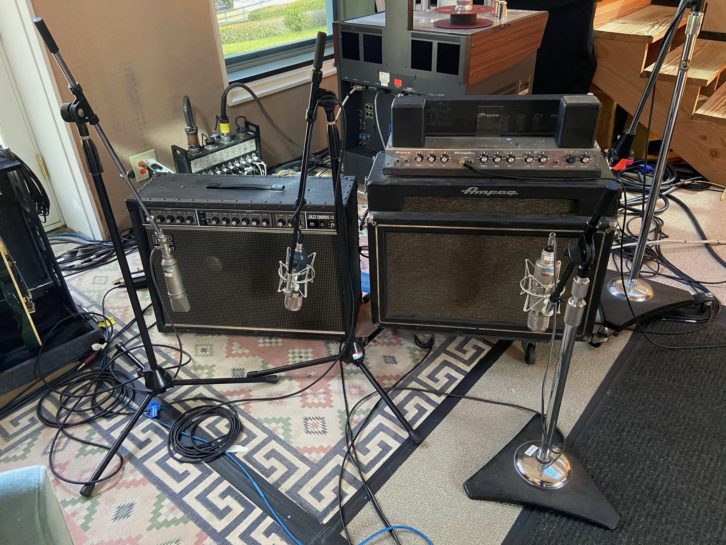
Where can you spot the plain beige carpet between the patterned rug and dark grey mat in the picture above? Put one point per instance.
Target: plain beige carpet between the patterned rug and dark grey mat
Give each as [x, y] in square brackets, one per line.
[427, 491]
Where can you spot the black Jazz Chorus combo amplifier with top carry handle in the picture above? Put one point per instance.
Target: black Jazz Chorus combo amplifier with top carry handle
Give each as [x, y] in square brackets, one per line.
[229, 243]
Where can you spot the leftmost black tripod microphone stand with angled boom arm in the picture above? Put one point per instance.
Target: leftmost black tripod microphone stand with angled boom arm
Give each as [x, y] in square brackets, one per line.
[156, 378]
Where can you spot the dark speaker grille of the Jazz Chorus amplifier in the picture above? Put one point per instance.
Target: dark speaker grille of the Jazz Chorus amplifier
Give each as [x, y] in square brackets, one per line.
[231, 281]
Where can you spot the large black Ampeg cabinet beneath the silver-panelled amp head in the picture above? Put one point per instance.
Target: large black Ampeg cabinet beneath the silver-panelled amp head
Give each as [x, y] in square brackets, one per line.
[447, 254]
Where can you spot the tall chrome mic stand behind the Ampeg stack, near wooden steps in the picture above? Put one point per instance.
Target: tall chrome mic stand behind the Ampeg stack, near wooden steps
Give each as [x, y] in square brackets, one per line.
[644, 298]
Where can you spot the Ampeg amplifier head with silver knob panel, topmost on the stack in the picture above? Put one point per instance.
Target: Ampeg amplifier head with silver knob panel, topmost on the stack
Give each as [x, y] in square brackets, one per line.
[537, 136]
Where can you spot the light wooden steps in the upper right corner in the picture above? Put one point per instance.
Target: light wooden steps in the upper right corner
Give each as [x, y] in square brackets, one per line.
[625, 47]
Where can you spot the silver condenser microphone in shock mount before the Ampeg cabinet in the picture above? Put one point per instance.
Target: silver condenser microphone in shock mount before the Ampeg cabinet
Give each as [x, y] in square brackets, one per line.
[539, 283]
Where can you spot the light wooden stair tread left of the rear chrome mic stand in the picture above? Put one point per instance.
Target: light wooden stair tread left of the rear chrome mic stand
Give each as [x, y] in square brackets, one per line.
[646, 25]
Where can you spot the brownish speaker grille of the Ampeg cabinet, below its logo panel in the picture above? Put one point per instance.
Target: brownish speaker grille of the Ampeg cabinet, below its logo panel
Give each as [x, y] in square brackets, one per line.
[451, 278]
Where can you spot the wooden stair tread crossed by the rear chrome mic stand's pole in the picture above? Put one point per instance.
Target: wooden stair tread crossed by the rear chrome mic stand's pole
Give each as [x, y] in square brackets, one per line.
[709, 61]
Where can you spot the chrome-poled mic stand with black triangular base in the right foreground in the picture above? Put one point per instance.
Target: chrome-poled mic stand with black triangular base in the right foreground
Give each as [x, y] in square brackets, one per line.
[542, 475]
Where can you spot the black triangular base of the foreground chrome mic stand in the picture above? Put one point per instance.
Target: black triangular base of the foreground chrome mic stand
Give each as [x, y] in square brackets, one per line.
[579, 497]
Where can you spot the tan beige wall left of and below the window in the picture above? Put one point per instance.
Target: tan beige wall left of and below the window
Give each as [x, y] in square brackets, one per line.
[136, 59]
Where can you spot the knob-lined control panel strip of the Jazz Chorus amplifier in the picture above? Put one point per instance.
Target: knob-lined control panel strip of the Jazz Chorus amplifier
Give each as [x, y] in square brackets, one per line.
[251, 219]
